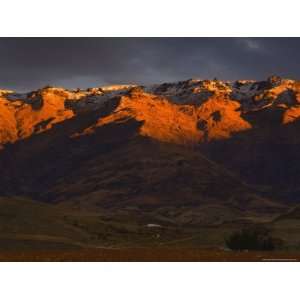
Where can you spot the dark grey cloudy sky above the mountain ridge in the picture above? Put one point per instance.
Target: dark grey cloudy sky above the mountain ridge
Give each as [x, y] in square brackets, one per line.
[28, 63]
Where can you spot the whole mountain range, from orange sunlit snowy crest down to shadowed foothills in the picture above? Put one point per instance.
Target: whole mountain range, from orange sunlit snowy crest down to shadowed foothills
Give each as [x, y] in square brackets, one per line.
[175, 164]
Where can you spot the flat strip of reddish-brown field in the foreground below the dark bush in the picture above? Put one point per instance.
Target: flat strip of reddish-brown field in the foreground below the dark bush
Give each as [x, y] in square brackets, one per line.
[148, 255]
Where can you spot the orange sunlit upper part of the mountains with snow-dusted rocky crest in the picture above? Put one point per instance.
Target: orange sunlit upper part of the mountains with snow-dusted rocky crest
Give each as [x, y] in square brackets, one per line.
[183, 112]
